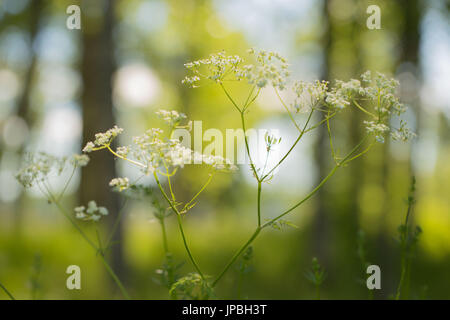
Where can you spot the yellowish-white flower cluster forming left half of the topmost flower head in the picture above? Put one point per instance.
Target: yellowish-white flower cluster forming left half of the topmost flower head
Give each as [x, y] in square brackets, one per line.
[214, 68]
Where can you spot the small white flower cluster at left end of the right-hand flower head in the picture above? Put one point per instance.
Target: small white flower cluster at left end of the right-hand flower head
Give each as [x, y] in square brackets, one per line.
[309, 94]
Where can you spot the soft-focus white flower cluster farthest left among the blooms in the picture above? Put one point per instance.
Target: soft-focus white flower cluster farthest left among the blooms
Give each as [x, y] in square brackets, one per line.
[39, 166]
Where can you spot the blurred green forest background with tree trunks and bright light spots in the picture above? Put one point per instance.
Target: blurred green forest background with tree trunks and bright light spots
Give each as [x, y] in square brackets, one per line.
[58, 87]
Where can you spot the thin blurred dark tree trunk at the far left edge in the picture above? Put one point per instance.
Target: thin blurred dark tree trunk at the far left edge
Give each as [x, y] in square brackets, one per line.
[33, 15]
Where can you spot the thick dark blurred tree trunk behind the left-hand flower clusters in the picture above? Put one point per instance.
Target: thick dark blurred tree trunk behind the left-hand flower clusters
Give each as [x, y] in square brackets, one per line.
[97, 69]
